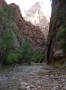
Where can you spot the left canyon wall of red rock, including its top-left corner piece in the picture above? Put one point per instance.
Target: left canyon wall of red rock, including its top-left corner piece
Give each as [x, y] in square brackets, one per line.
[27, 31]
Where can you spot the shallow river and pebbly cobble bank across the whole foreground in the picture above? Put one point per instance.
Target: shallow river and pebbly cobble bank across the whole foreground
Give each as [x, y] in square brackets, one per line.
[33, 77]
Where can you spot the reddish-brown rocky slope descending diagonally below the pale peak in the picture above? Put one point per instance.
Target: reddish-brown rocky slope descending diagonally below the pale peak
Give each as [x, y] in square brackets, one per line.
[30, 32]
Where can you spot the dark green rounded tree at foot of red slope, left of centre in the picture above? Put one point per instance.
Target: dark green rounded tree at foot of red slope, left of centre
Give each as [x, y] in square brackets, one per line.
[26, 52]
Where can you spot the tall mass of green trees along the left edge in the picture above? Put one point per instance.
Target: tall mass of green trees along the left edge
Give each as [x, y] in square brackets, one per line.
[6, 36]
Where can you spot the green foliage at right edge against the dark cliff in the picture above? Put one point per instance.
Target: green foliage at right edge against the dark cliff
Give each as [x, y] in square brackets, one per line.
[62, 37]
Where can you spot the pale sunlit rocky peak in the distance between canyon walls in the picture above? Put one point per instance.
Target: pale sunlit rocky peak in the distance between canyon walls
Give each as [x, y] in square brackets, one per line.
[37, 15]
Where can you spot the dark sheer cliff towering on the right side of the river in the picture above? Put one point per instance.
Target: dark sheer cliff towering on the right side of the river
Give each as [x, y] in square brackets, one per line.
[57, 24]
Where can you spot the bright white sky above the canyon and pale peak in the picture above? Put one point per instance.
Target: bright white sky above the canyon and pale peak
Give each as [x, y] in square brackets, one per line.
[26, 4]
